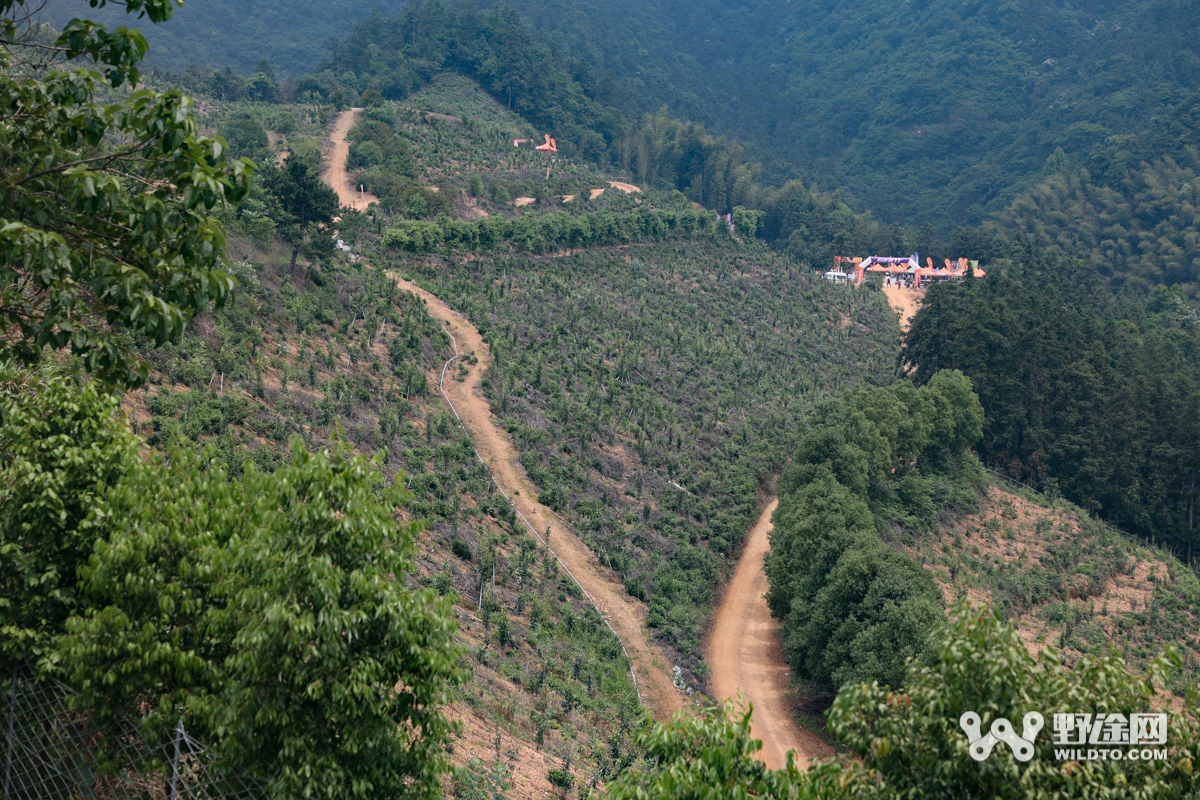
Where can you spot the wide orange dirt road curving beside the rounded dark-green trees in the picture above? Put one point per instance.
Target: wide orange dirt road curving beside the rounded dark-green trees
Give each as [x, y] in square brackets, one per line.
[746, 655]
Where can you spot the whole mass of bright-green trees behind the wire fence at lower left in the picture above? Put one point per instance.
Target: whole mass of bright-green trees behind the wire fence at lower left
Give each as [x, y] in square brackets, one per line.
[268, 612]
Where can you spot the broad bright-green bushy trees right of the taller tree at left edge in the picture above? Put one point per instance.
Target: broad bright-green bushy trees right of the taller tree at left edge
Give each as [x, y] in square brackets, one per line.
[273, 613]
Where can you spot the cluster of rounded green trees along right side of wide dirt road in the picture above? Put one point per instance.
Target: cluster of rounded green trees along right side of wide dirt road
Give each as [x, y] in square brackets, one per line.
[854, 609]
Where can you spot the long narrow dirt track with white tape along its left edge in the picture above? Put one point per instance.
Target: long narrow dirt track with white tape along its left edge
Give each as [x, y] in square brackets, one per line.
[626, 616]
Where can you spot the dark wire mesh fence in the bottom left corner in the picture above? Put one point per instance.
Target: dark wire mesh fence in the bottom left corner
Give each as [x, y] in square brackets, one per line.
[52, 753]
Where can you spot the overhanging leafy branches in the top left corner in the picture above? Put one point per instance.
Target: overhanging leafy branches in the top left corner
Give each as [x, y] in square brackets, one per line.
[106, 224]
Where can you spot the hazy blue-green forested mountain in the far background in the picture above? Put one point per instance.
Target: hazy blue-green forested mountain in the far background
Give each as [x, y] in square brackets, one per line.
[934, 112]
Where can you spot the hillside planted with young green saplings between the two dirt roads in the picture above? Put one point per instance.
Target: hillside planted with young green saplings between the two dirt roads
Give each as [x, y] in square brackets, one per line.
[653, 398]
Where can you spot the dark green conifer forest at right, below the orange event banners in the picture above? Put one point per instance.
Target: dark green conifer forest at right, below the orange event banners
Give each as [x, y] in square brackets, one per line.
[1088, 394]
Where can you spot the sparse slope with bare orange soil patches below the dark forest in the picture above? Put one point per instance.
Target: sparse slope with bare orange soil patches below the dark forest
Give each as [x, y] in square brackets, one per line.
[1064, 580]
